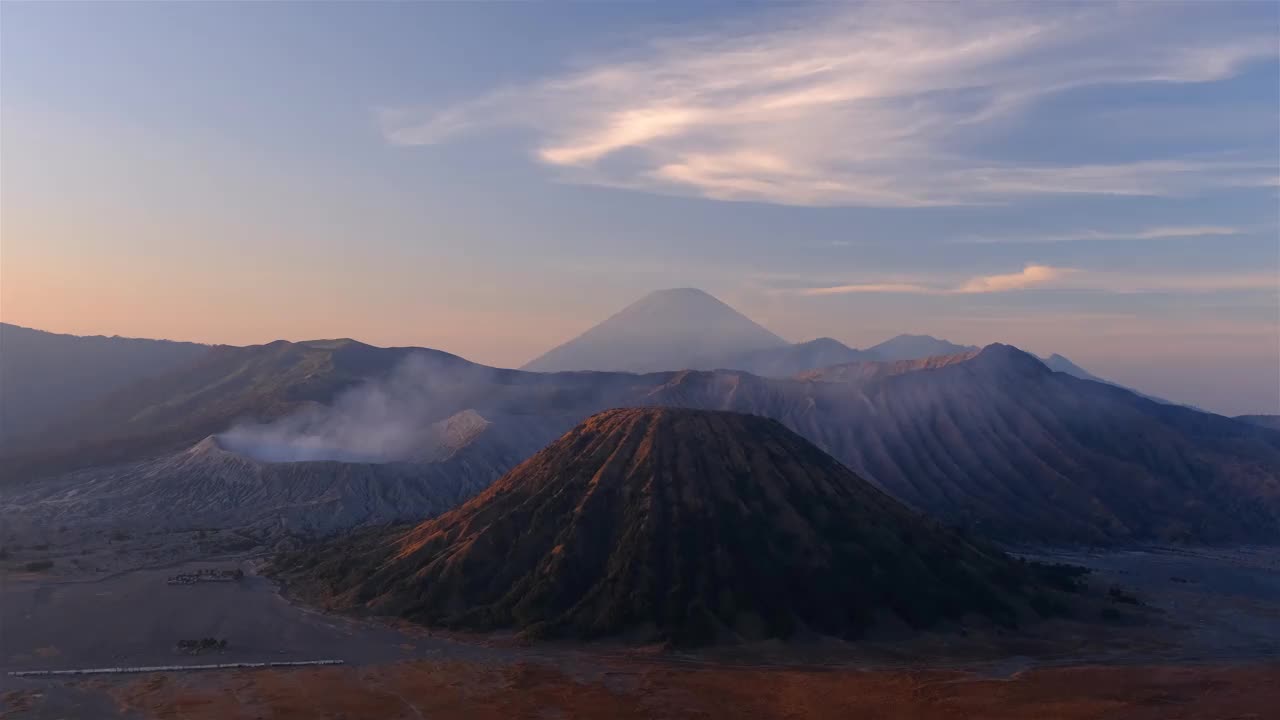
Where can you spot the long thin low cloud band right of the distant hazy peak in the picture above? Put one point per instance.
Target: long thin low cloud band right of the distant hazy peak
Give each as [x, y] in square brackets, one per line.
[1048, 277]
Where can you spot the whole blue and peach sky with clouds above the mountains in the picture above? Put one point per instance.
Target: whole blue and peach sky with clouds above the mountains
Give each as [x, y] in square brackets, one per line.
[1095, 180]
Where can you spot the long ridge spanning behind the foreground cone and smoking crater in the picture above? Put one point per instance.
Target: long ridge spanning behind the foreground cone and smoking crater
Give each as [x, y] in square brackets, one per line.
[993, 440]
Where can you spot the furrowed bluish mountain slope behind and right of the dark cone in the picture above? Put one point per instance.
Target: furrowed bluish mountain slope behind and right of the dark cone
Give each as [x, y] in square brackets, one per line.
[1002, 444]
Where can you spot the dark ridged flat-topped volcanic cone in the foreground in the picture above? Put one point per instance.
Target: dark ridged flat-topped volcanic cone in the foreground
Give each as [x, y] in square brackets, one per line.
[683, 526]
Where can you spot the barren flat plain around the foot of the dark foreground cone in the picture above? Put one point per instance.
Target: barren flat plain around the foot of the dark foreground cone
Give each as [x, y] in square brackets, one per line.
[1212, 649]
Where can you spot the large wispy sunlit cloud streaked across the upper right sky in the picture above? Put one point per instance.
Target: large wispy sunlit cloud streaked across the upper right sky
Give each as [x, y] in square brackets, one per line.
[880, 104]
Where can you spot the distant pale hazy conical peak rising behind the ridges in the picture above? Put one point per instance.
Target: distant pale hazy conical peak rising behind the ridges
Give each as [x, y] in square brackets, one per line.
[670, 330]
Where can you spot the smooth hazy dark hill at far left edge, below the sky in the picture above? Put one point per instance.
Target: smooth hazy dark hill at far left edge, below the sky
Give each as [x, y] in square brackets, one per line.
[45, 376]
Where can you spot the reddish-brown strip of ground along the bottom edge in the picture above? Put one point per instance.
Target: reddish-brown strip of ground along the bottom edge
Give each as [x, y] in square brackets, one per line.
[637, 690]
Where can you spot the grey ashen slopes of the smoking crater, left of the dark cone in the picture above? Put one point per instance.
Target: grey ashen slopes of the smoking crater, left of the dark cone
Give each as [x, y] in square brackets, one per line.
[213, 486]
